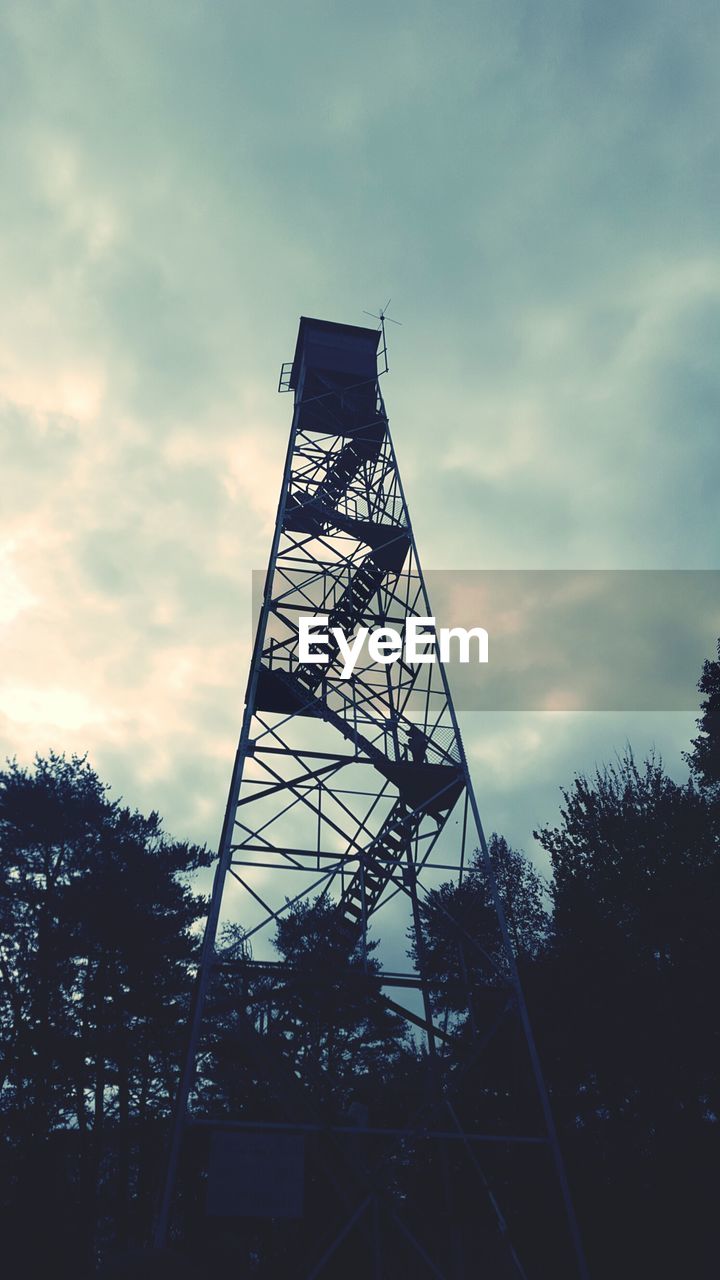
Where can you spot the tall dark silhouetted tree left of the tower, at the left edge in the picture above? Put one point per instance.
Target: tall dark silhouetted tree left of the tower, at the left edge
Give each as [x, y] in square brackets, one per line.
[97, 948]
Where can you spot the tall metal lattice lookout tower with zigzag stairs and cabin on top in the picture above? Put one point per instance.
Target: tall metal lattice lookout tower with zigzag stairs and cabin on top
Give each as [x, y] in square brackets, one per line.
[359, 790]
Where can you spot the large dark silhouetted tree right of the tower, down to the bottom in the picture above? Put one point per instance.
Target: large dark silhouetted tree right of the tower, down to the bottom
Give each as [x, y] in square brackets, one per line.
[630, 1028]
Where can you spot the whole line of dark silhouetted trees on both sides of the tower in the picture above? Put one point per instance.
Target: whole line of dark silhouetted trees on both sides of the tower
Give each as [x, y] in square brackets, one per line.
[619, 958]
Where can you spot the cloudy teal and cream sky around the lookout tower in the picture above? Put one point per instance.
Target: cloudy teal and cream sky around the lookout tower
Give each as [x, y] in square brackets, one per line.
[536, 186]
